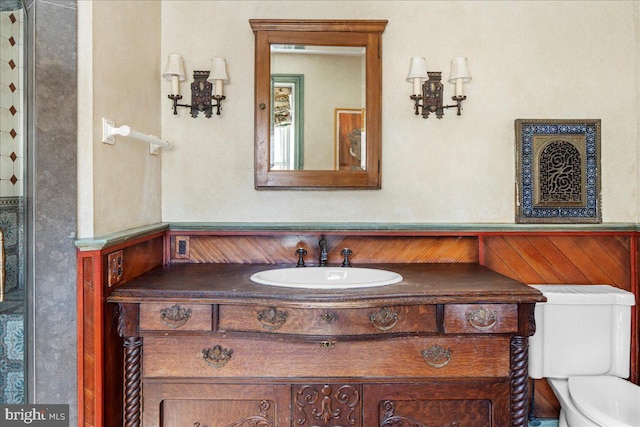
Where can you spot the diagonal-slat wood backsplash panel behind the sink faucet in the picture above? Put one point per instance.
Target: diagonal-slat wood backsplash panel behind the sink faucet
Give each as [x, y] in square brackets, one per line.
[280, 249]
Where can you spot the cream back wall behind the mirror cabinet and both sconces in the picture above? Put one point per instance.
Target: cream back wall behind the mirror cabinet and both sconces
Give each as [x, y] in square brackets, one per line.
[556, 59]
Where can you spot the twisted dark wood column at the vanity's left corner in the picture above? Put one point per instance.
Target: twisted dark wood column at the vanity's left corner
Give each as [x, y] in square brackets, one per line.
[132, 381]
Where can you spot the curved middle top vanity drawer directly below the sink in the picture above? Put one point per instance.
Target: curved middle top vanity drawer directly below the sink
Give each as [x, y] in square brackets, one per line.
[318, 321]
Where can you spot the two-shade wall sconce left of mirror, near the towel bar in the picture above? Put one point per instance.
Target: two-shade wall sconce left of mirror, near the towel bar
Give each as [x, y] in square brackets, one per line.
[203, 96]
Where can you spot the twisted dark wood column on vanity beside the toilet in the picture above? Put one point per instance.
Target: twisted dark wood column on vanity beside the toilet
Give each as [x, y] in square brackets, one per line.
[519, 381]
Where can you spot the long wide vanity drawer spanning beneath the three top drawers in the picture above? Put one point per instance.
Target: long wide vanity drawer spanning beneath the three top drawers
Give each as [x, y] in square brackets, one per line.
[406, 357]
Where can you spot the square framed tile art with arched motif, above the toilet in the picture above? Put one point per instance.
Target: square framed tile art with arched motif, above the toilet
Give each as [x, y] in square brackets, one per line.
[558, 171]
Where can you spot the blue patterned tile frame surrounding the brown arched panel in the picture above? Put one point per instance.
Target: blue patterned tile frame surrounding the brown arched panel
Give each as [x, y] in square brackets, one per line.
[527, 211]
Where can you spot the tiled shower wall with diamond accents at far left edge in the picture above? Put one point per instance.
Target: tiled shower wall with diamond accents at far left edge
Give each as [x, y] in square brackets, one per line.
[12, 362]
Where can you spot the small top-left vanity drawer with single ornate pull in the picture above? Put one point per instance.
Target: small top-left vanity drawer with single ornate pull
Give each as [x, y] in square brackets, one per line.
[171, 317]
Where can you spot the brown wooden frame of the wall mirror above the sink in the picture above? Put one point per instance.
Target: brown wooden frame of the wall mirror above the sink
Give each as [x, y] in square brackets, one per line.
[364, 33]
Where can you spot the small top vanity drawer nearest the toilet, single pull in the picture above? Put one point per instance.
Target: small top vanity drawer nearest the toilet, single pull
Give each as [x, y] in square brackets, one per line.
[481, 318]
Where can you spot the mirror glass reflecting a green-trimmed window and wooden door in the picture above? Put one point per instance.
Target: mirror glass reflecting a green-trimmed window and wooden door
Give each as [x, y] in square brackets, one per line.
[318, 99]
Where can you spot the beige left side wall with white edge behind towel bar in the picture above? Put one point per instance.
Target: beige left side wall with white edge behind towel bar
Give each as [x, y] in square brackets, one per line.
[118, 78]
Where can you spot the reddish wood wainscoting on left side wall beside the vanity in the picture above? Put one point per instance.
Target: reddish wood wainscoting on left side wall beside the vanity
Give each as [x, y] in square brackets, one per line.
[100, 392]
